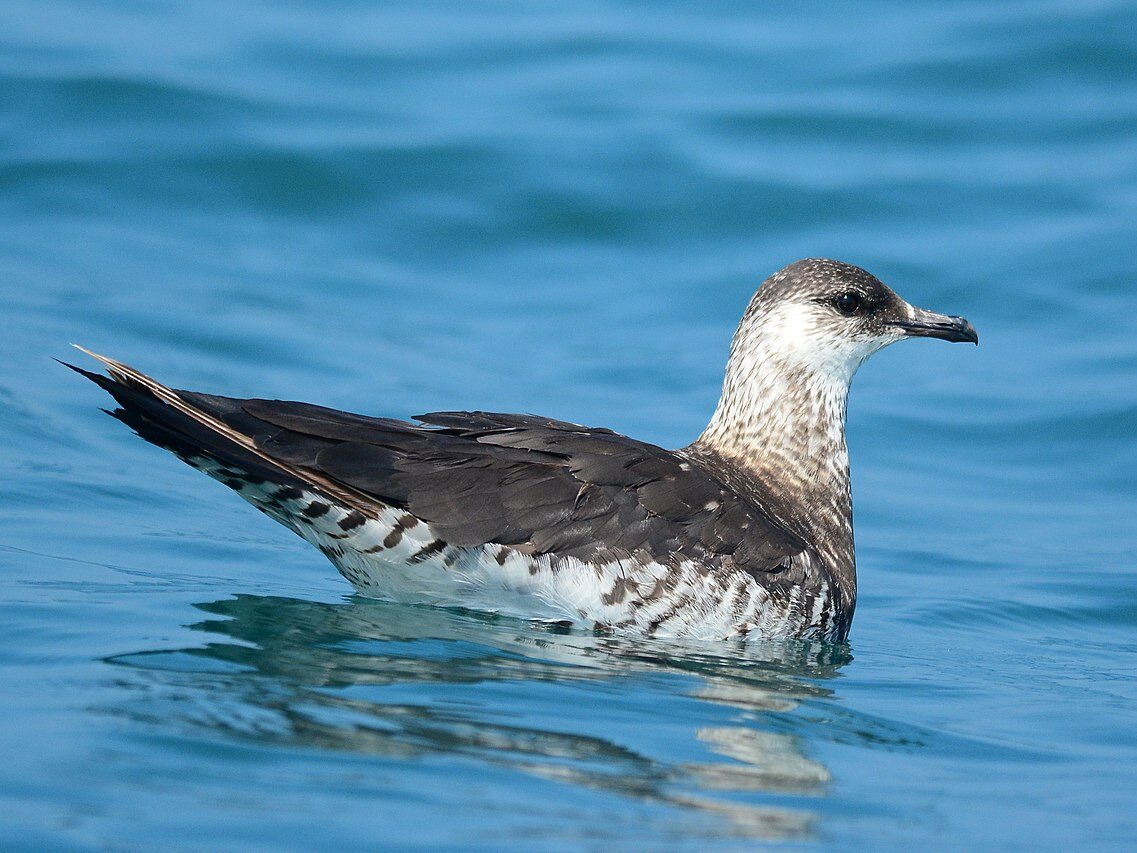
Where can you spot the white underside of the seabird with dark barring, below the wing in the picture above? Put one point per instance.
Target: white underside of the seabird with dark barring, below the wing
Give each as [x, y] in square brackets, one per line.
[397, 558]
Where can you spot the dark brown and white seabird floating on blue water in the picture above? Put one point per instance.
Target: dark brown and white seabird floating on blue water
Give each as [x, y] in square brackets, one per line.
[746, 533]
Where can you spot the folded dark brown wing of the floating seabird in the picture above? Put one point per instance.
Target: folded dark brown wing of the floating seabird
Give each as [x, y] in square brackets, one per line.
[534, 484]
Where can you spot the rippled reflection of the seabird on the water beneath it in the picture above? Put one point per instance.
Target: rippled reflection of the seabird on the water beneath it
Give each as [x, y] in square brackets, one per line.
[377, 680]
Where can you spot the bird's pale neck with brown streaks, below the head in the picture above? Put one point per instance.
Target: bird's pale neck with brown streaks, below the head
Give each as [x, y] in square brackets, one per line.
[784, 425]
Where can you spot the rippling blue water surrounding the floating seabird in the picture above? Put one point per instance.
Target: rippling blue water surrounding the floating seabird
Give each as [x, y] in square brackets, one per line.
[563, 209]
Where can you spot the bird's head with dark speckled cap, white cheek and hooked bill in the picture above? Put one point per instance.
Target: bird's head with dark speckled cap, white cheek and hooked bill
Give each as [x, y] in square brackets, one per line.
[826, 318]
